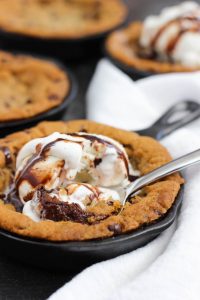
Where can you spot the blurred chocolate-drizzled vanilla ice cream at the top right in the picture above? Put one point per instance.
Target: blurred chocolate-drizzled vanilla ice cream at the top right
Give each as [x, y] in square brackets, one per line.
[178, 26]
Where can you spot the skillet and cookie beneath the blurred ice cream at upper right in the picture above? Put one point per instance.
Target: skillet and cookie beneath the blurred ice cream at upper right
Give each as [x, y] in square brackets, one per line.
[123, 49]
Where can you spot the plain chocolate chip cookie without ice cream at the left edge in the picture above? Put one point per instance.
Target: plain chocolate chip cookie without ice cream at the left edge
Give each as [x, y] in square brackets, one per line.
[29, 86]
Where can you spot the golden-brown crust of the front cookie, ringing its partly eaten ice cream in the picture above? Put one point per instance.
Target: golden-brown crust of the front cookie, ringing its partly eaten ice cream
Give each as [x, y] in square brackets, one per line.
[147, 154]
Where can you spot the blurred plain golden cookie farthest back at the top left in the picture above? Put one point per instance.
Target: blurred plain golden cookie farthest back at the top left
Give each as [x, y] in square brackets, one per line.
[47, 19]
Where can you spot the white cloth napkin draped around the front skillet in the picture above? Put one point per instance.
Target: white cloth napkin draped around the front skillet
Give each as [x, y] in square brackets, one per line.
[168, 268]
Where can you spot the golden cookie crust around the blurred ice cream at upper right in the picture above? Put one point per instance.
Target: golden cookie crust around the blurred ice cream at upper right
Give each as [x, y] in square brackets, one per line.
[123, 46]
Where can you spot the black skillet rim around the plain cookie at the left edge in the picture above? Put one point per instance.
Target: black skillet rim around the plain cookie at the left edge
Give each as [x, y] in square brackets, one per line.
[55, 113]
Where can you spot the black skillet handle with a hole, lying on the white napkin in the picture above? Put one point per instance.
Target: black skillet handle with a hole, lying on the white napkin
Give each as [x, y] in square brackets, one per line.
[177, 116]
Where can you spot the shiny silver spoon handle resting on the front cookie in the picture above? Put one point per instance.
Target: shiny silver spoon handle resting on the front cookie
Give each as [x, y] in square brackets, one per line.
[167, 169]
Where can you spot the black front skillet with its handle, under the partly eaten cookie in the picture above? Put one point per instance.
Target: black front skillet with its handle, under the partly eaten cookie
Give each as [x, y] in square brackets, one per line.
[77, 255]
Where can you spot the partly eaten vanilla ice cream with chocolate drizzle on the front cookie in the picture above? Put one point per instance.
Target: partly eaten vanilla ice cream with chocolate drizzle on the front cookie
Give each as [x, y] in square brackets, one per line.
[60, 159]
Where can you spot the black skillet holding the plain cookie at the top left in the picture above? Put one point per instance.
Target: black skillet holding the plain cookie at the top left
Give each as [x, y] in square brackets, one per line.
[69, 49]
